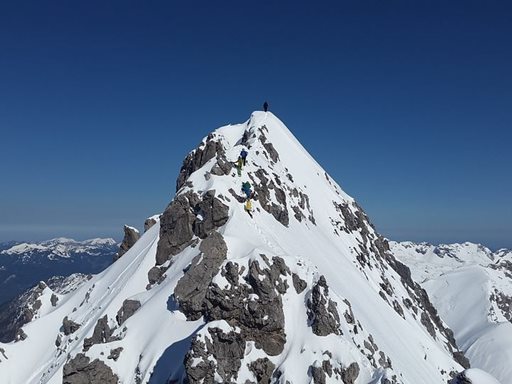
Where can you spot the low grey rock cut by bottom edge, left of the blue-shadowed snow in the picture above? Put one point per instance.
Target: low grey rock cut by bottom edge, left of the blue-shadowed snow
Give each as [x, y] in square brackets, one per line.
[80, 370]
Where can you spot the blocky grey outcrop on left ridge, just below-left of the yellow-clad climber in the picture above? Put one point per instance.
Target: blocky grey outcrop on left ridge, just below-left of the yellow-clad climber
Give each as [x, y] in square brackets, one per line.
[186, 216]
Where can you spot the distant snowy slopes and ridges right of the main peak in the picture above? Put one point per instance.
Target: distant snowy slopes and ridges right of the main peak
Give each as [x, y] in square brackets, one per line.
[472, 289]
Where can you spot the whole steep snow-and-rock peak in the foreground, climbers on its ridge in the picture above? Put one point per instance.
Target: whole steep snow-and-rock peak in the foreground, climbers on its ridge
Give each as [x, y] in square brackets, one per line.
[304, 292]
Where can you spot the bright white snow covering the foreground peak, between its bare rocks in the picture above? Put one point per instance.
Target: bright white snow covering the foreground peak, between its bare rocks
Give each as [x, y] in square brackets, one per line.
[158, 335]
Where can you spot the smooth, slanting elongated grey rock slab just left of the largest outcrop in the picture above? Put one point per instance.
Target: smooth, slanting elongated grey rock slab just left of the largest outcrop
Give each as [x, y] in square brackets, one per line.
[191, 289]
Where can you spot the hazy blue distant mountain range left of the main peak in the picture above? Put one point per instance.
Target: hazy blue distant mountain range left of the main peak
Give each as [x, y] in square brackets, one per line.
[24, 264]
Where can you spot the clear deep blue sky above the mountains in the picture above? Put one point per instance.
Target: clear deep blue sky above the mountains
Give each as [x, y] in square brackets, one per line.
[407, 104]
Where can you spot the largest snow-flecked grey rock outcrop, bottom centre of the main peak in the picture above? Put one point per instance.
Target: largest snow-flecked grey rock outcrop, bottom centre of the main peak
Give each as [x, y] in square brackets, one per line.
[252, 305]
